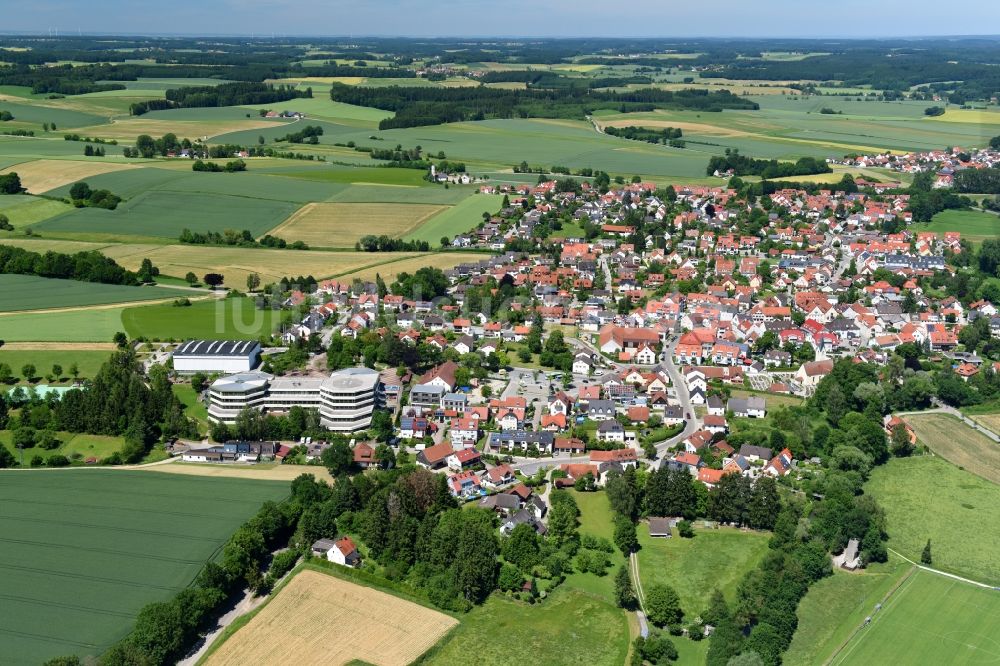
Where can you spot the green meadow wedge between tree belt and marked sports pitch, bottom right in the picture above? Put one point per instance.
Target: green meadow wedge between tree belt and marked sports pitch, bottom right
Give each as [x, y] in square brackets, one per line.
[836, 606]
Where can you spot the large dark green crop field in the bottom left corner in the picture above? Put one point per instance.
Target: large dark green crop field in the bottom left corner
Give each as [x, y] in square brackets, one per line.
[85, 549]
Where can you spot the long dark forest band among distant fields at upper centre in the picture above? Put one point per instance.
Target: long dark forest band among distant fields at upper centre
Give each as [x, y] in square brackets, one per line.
[417, 106]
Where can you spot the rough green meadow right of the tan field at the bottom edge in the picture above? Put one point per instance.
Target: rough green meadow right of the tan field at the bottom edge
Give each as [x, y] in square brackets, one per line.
[560, 631]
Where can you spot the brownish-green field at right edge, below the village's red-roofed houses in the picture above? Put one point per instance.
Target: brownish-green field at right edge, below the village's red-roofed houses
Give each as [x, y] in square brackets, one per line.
[958, 443]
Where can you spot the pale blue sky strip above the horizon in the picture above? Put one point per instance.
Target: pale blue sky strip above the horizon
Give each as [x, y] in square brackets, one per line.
[557, 18]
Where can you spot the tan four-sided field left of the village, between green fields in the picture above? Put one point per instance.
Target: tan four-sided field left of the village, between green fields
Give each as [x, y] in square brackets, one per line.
[342, 224]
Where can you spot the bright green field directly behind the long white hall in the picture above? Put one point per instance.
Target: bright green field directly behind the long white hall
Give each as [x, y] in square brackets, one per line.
[231, 318]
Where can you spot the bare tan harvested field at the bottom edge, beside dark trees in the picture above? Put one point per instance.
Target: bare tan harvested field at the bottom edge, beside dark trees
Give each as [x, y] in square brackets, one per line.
[320, 619]
